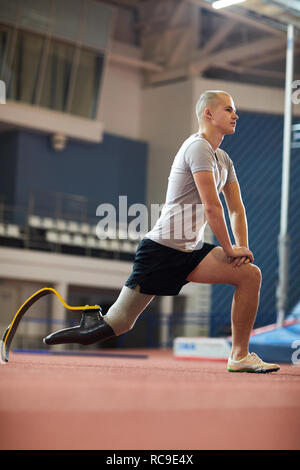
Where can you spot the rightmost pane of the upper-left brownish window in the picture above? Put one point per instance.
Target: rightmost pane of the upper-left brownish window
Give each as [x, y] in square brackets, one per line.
[87, 84]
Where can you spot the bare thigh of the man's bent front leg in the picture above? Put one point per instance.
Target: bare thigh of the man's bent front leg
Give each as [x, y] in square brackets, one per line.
[215, 269]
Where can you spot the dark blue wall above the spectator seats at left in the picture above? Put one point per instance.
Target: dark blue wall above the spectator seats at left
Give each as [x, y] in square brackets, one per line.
[101, 172]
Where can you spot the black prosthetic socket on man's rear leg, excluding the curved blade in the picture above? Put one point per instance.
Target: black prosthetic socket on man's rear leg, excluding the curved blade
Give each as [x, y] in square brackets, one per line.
[92, 328]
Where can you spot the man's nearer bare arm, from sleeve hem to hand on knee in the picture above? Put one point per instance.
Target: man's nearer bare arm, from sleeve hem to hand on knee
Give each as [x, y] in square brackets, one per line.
[213, 208]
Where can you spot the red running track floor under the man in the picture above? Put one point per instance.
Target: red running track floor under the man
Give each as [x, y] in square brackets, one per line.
[52, 402]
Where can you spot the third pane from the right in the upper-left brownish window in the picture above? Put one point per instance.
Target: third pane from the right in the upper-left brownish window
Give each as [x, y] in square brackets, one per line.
[25, 67]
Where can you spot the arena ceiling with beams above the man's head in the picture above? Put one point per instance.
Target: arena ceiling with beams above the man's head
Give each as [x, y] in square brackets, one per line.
[178, 39]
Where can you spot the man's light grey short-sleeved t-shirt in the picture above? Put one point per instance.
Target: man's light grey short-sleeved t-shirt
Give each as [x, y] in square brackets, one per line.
[182, 221]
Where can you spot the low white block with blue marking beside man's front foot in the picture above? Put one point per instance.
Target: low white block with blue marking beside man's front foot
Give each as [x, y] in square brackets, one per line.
[206, 349]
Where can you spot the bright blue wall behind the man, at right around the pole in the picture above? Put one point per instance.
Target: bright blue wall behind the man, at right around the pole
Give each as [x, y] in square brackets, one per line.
[256, 150]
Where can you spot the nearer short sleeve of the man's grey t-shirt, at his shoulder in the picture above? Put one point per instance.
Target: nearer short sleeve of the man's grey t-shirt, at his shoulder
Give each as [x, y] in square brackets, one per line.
[199, 157]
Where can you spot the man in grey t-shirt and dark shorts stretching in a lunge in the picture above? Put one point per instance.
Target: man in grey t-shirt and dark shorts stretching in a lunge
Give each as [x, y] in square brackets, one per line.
[173, 252]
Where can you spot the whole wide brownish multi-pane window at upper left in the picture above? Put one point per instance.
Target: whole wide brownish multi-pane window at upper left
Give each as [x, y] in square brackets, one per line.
[68, 78]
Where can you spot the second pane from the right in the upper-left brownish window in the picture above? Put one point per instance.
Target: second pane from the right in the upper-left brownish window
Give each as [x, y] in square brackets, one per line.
[57, 76]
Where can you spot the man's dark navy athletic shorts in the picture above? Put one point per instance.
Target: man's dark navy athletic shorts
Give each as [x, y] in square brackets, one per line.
[160, 270]
